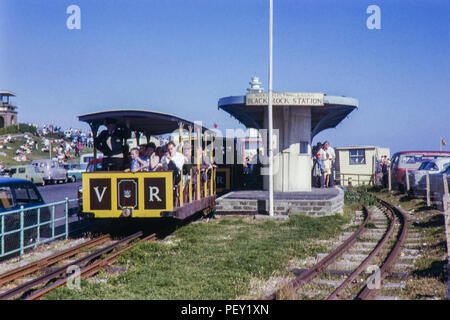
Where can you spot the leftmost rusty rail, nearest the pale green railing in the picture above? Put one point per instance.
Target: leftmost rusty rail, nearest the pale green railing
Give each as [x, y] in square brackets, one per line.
[47, 261]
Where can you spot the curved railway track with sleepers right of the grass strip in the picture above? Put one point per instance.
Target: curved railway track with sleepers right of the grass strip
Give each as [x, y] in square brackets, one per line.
[375, 246]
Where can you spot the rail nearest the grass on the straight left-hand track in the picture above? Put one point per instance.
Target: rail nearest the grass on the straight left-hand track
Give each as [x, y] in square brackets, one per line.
[89, 270]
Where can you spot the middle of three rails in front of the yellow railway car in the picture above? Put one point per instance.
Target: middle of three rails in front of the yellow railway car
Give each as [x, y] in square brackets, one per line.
[61, 270]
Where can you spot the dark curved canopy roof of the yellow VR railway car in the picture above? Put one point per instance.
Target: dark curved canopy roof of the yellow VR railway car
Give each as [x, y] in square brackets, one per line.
[147, 122]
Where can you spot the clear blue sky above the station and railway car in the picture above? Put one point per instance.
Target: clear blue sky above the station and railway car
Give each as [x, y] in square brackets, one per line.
[180, 57]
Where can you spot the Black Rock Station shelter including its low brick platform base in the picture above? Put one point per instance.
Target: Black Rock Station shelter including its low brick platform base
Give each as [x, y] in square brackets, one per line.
[297, 118]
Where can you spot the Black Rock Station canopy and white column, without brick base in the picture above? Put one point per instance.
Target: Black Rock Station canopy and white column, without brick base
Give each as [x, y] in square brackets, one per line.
[297, 117]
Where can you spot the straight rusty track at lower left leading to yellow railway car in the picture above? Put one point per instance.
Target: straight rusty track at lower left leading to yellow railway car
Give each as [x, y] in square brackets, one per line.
[44, 271]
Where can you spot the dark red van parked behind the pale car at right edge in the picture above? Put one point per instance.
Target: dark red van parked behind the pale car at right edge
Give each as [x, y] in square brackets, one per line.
[411, 160]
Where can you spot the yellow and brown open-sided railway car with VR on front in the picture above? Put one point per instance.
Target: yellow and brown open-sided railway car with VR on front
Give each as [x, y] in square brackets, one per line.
[115, 194]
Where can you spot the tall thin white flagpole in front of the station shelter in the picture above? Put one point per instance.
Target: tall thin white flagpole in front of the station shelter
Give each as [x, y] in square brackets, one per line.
[271, 213]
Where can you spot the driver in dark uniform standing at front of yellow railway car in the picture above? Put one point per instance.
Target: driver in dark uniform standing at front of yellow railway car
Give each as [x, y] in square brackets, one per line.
[112, 143]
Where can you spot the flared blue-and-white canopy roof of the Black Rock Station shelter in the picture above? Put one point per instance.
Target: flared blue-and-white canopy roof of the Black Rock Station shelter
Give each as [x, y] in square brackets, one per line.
[334, 110]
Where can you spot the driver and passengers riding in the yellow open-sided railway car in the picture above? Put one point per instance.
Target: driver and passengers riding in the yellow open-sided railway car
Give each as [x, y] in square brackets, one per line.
[145, 158]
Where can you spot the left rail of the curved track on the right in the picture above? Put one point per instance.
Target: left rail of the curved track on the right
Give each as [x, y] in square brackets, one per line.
[319, 267]
